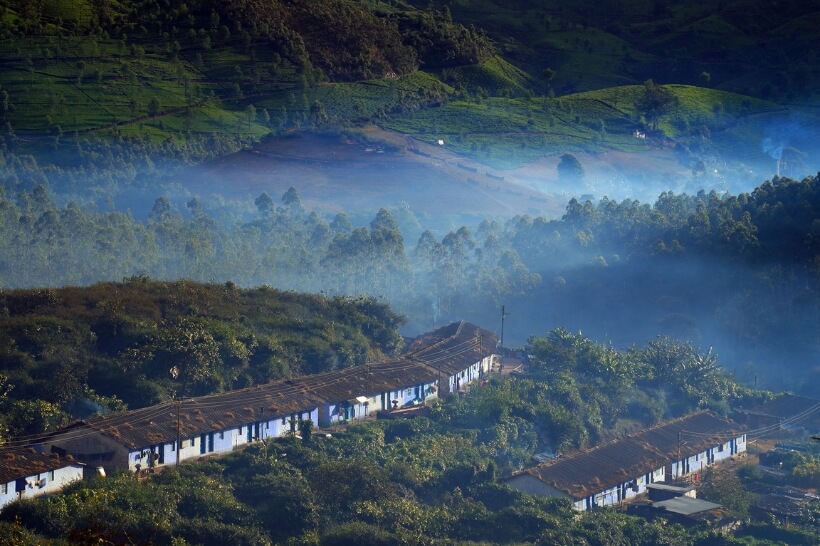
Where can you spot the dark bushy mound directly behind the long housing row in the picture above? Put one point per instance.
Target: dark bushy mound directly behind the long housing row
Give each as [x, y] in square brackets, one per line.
[75, 351]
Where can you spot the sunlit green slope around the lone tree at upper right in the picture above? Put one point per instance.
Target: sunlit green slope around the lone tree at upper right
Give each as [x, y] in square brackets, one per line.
[509, 132]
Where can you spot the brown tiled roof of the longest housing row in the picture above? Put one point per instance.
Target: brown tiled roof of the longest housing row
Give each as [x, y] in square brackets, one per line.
[453, 348]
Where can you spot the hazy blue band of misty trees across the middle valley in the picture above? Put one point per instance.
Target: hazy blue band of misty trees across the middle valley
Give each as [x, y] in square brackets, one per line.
[736, 272]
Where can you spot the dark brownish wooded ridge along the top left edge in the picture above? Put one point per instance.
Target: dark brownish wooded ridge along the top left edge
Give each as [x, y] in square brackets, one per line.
[326, 39]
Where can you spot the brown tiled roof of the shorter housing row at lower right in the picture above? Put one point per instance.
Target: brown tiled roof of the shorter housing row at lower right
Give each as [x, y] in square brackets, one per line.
[613, 463]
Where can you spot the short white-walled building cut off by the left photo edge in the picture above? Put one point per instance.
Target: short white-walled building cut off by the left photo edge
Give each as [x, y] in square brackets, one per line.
[25, 473]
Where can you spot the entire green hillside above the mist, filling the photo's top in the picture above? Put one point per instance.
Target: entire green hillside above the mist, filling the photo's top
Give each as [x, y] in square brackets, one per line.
[196, 80]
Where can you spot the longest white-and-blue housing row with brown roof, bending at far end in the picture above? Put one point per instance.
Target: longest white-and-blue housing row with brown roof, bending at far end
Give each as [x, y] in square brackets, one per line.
[442, 362]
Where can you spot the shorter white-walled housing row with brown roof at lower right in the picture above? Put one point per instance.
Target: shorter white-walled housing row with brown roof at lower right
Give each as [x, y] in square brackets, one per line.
[624, 468]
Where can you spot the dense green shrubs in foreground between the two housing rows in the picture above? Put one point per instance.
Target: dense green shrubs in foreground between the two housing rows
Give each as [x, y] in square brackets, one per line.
[420, 481]
